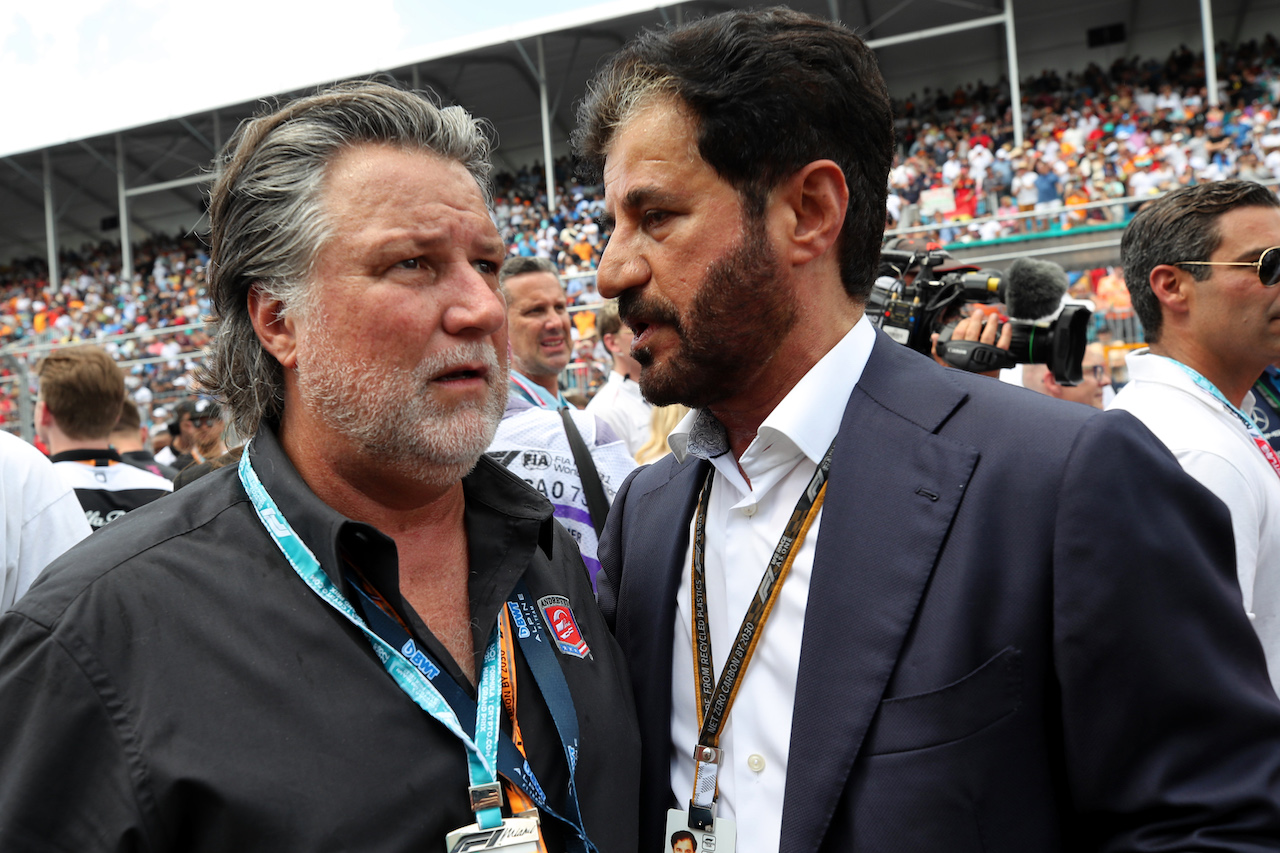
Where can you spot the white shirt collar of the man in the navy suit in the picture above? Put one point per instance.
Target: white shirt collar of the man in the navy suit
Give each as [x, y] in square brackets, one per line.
[806, 417]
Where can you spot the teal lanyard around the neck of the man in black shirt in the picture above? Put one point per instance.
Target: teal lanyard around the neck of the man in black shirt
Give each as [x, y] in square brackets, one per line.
[482, 752]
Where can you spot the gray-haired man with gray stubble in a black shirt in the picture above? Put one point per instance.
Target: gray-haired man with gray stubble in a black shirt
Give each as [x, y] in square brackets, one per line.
[322, 647]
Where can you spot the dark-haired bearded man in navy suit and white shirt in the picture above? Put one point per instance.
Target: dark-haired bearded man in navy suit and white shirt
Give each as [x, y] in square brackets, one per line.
[871, 604]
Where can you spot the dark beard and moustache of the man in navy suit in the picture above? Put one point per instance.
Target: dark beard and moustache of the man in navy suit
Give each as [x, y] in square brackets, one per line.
[739, 317]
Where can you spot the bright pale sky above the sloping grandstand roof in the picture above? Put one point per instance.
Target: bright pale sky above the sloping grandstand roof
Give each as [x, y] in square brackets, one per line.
[77, 69]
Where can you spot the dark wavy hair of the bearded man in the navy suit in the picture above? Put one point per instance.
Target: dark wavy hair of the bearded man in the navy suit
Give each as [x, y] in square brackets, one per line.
[772, 90]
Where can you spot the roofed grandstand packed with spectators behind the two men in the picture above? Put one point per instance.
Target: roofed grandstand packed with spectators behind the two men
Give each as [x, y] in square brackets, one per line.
[1025, 130]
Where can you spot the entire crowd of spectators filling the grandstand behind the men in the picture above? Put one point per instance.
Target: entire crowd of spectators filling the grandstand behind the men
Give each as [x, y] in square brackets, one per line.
[1135, 130]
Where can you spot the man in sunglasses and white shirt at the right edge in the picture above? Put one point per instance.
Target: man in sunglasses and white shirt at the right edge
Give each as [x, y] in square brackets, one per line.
[1203, 267]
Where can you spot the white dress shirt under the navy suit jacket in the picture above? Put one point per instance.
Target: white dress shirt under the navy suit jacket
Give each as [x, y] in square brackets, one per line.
[744, 524]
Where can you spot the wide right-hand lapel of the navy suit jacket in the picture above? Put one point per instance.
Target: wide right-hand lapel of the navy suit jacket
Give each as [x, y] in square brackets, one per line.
[885, 518]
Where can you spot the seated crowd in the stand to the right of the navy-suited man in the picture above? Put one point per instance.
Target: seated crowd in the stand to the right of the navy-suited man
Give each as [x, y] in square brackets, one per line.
[1132, 131]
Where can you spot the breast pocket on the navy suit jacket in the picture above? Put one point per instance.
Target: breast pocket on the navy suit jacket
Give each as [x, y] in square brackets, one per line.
[964, 708]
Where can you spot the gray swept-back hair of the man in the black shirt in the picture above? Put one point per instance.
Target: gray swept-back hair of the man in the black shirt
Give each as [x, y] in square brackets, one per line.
[268, 220]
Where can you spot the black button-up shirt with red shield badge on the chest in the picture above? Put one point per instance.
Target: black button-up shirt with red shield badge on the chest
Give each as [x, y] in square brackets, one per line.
[175, 686]
